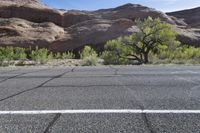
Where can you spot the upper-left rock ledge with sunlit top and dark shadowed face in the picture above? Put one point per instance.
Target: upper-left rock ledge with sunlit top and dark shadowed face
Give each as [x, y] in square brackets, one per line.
[29, 10]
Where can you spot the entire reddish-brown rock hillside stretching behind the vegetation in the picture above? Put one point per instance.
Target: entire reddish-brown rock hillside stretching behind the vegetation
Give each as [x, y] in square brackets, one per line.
[29, 23]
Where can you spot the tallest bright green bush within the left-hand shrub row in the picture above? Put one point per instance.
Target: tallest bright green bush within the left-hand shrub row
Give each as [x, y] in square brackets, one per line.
[39, 55]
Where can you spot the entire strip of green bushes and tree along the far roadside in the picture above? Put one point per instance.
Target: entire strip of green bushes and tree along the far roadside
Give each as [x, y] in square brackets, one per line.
[154, 43]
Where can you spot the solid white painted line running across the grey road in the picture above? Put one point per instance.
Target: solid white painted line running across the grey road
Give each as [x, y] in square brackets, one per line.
[104, 111]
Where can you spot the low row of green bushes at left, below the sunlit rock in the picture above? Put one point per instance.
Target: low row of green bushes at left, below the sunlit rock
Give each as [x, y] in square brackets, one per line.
[8, 55]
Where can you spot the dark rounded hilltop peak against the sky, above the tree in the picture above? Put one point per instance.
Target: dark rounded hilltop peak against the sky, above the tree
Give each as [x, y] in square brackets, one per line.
[132, 12]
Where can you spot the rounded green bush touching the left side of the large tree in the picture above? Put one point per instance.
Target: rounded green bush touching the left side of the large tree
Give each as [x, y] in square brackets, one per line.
[116, 52]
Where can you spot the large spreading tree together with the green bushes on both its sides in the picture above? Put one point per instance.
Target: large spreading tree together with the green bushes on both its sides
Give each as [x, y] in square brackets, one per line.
[155, 40]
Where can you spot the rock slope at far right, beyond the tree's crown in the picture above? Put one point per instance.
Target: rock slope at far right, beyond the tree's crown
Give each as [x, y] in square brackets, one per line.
[190, 32]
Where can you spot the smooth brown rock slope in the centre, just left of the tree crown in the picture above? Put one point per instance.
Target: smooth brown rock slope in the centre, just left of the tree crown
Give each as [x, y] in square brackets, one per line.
[94, 32]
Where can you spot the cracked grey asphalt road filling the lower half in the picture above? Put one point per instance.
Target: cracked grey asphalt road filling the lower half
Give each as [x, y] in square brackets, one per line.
[100, 88]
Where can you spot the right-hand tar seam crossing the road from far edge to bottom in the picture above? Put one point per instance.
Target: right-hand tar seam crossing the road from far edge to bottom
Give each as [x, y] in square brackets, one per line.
[140, 104]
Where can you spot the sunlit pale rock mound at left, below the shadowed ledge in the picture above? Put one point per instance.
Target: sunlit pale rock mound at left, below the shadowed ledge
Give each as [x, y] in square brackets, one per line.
[19, 32]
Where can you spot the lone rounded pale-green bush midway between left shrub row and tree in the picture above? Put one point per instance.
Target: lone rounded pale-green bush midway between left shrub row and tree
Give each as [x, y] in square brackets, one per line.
[89, 56]
